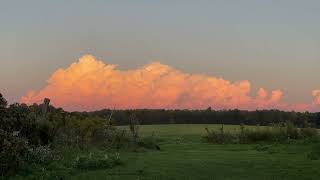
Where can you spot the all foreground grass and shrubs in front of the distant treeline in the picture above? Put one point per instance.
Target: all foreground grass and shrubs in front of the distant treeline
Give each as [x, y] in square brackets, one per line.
[42, 142]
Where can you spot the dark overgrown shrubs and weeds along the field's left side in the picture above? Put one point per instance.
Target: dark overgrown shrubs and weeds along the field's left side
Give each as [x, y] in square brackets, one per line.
[31, 138]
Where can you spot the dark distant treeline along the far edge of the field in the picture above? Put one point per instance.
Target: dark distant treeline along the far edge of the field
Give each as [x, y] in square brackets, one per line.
[209, 116]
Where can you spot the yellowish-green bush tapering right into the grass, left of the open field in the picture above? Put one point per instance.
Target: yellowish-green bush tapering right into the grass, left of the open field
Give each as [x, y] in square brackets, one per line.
[94, 131]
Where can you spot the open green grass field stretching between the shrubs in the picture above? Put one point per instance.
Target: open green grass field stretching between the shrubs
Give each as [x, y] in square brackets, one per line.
[184, 155]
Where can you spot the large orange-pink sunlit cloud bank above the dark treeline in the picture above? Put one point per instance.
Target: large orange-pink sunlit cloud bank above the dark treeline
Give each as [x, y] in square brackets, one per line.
[90, 84]
